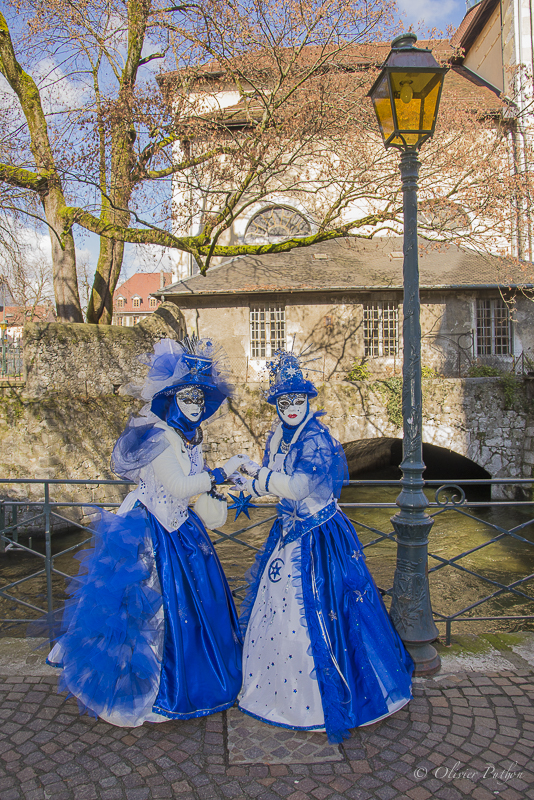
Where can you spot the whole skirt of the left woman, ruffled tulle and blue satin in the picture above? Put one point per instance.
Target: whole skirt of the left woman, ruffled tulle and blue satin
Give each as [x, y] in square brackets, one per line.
[150, 632]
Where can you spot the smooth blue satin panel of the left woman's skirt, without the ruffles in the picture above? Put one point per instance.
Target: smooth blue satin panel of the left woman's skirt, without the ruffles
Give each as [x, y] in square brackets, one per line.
[201, 665]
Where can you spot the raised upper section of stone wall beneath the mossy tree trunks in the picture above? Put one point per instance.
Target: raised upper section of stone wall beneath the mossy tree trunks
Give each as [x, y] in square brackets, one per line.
[92, 360]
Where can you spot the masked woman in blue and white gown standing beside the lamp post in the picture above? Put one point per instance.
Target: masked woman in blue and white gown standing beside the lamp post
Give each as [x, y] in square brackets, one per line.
[320, 651]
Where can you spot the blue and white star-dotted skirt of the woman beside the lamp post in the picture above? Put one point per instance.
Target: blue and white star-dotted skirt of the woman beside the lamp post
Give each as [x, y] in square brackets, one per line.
[320, 650]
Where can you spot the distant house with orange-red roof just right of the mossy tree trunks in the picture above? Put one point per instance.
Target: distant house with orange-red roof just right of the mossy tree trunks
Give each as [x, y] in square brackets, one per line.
[133, 300]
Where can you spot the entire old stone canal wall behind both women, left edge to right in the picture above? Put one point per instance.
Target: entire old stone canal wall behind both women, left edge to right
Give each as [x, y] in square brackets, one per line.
[68, 431]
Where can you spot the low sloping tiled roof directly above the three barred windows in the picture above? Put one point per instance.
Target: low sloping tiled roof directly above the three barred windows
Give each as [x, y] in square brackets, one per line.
[344, 264]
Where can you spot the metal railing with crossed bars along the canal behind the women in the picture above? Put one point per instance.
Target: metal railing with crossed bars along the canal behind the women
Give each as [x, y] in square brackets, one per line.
[490, 580]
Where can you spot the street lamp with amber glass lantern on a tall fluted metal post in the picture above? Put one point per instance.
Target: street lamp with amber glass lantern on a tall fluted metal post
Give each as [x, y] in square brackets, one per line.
[406, 97]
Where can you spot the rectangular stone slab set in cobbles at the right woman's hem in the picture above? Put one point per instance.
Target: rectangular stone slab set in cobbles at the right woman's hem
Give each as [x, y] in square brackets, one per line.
[253, 742]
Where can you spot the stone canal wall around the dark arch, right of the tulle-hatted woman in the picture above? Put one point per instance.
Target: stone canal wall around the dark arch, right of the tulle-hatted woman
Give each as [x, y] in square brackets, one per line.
[487, 420]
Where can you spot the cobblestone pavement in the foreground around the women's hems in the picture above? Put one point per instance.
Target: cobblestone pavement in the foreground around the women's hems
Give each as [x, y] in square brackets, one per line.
[467, 735]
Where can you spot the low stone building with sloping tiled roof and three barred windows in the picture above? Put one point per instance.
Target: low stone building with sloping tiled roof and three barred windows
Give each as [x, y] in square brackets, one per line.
[343, 299]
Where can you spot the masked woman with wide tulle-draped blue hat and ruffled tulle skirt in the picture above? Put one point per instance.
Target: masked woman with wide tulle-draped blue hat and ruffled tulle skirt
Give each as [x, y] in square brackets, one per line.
[151, 631]
